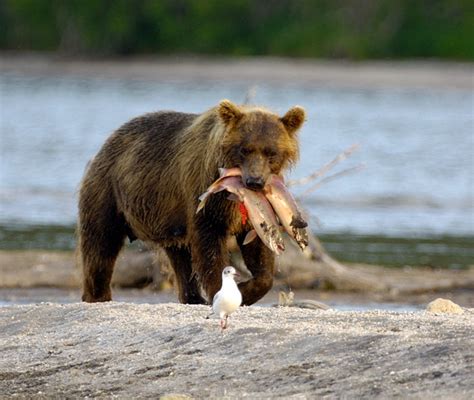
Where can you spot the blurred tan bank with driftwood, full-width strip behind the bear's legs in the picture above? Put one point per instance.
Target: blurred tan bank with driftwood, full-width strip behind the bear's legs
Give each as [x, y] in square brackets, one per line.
[314, 269]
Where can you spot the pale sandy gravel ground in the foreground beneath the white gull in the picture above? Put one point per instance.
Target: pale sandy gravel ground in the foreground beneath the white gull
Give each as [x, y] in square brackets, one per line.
[120, 350]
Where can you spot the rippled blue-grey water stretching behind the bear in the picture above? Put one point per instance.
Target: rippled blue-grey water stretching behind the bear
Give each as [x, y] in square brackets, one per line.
[417, 146]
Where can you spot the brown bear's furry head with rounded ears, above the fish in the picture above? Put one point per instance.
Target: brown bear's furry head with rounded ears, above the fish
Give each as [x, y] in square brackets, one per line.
[258, 141]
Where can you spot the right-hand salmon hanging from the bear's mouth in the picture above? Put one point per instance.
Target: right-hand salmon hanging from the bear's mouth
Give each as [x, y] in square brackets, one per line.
[287, 210]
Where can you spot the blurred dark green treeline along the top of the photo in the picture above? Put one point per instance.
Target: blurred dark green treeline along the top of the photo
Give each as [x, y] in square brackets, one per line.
[354, 29]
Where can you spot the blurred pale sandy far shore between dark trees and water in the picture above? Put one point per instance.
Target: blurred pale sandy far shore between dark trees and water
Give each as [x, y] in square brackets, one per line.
[254, 70]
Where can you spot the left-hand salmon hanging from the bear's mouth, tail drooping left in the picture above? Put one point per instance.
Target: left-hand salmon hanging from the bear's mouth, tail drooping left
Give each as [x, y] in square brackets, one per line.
[259, 210]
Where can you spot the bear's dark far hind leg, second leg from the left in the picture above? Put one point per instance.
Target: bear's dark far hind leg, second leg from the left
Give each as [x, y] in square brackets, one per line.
[188, 288]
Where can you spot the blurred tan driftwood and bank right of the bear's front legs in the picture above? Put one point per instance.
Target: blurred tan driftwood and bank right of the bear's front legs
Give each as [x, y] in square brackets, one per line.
[317, 269]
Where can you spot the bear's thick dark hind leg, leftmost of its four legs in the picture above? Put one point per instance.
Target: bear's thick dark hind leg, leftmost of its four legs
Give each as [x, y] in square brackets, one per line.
[101, 240]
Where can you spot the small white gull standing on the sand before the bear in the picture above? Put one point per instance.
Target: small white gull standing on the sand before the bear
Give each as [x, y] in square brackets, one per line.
[229, 298]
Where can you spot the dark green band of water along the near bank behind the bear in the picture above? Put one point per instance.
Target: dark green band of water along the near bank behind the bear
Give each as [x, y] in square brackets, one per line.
[453, 252]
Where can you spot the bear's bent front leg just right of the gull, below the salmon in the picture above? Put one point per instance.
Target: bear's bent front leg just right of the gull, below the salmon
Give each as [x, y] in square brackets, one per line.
[260, 261]
